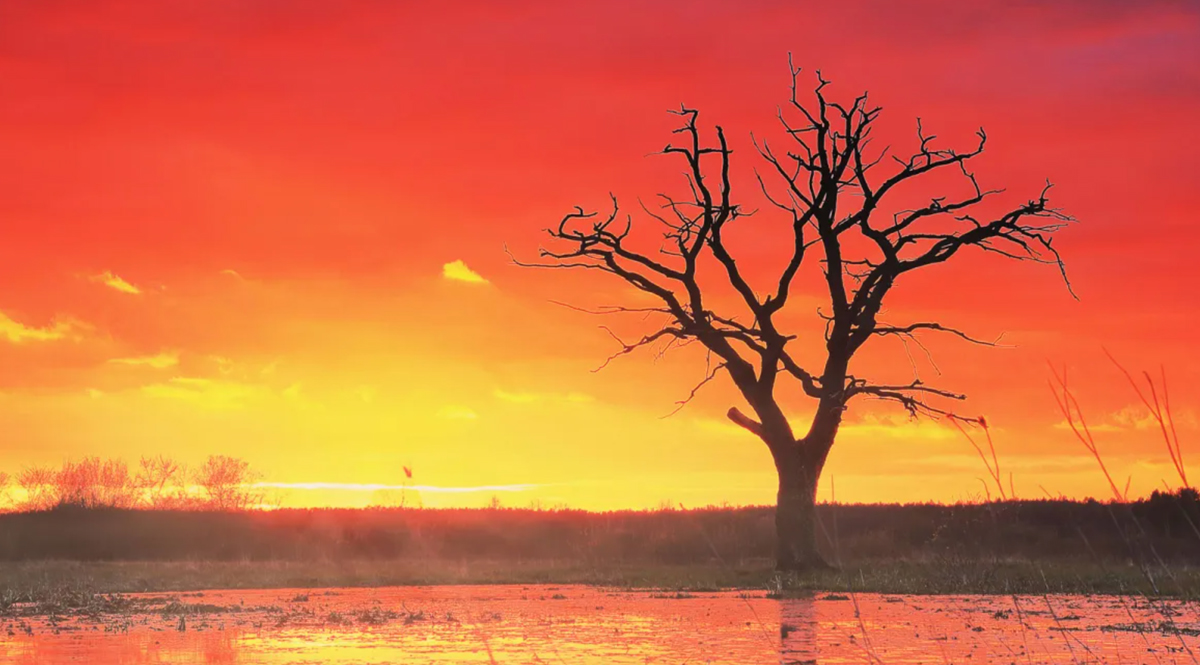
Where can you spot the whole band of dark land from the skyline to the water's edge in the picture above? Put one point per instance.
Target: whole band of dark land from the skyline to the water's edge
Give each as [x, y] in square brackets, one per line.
[1149, 548]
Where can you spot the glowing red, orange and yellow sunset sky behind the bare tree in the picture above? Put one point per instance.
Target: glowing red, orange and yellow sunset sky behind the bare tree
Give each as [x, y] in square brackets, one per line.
[277, 231]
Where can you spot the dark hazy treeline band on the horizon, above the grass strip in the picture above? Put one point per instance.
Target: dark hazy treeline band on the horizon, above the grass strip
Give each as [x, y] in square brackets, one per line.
[1162, 528]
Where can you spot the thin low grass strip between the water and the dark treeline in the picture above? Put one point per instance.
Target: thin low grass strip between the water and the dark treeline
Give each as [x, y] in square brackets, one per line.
[934, 577]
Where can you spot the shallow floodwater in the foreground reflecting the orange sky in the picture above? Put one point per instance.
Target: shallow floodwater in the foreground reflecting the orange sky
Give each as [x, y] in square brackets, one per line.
[537, 625]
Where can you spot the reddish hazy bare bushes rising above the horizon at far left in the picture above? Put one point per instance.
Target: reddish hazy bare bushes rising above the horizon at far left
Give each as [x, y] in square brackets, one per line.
[160, 483]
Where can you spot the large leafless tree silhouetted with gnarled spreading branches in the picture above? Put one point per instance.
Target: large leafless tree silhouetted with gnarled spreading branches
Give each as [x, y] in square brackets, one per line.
[845, 219]
